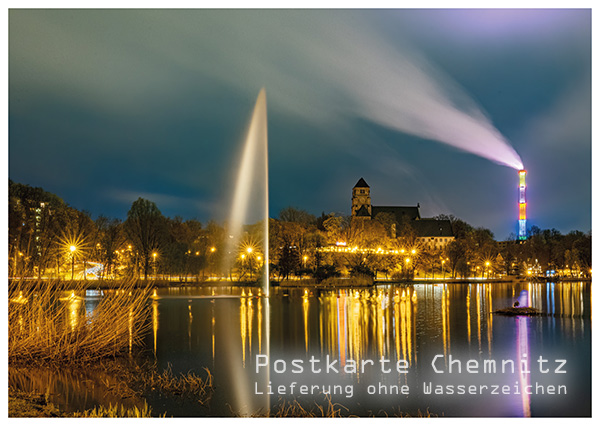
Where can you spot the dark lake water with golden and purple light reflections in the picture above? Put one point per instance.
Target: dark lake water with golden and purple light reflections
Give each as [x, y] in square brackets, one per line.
[389, 350]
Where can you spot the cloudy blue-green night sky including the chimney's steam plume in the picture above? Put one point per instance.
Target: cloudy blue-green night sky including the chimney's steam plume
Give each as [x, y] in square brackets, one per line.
[428, 106]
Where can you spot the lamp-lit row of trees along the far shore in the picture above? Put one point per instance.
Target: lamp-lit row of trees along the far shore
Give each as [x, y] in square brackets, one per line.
[47, 238]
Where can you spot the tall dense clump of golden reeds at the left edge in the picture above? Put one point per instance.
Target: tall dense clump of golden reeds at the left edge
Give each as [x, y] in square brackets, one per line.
[48, 322]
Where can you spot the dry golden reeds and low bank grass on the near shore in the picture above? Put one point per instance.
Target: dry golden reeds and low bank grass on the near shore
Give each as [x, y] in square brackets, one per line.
[58, 325]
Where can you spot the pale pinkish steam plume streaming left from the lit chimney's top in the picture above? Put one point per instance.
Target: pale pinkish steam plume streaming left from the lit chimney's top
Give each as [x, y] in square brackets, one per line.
[397, 88]
